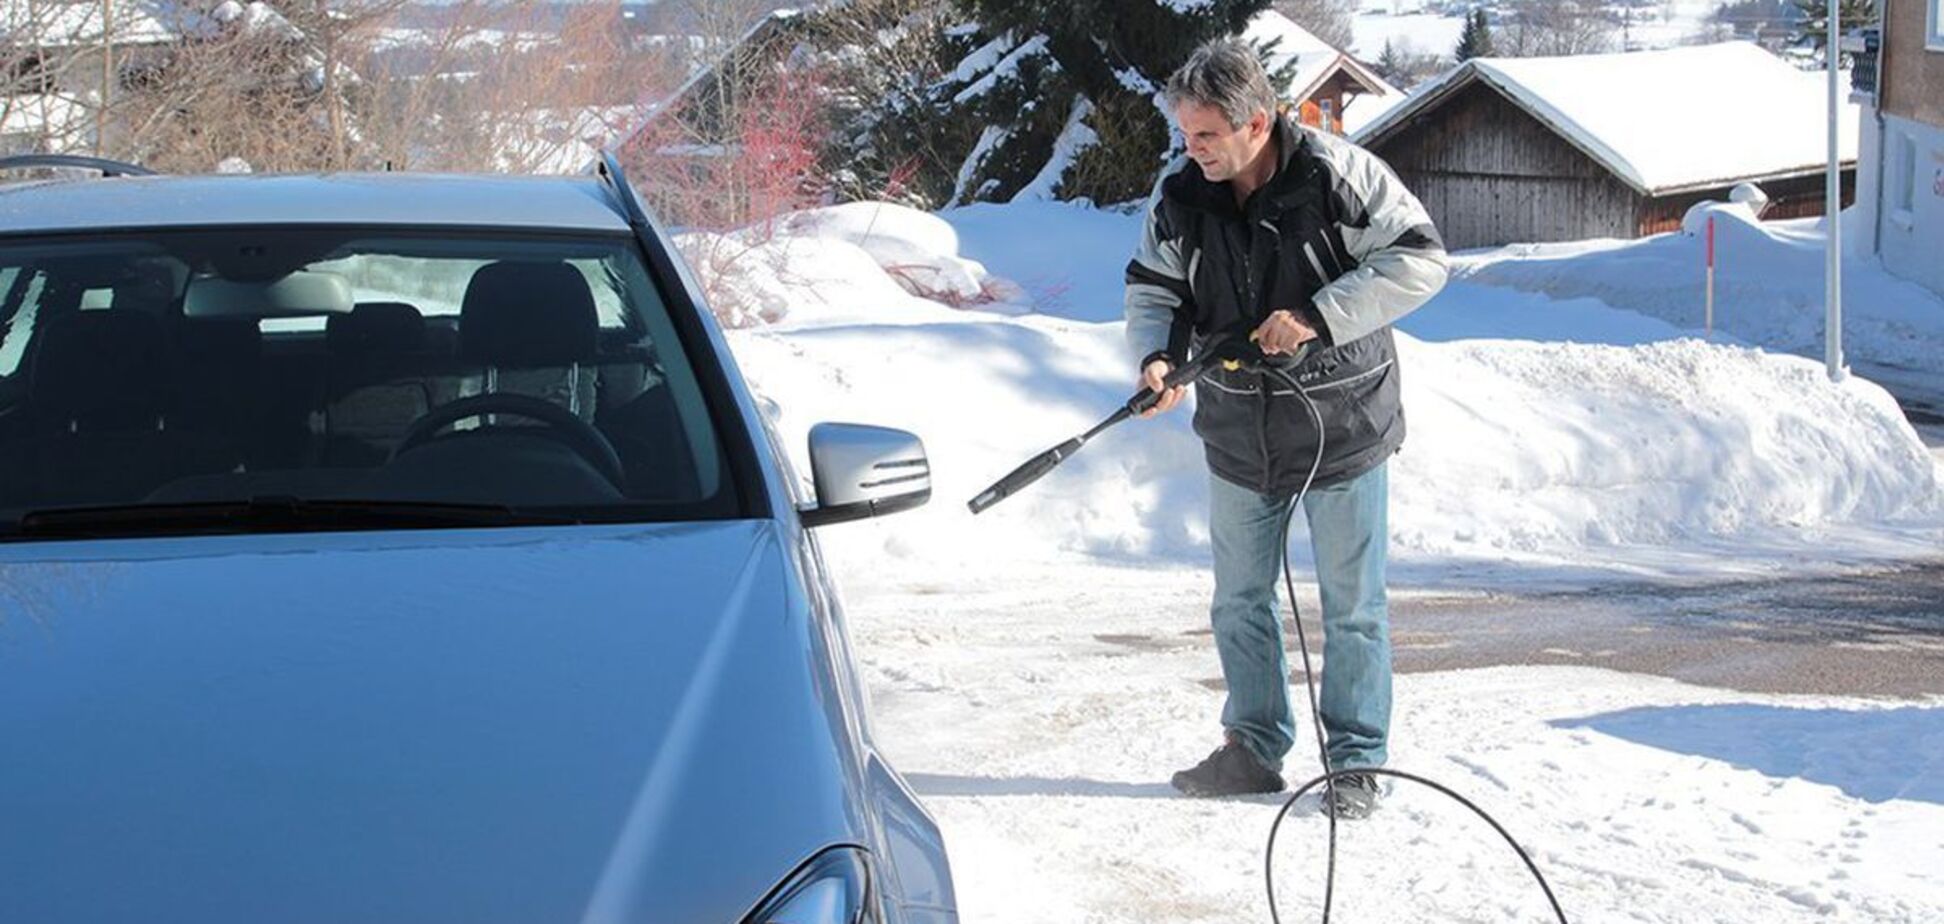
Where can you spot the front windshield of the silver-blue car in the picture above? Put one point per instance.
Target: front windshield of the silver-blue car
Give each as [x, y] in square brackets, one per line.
[149, 380]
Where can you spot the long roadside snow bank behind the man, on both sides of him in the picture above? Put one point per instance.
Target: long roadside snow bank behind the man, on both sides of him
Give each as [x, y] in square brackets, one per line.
[1517, 450]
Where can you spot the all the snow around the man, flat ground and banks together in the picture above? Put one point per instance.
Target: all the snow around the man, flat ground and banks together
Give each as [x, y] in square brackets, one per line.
[1041, 670]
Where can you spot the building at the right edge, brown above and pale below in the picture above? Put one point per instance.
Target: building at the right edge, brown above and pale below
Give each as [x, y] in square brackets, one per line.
[1900, 188]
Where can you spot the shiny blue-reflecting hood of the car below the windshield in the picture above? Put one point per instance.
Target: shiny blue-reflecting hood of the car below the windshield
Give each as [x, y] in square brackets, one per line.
[442, 727]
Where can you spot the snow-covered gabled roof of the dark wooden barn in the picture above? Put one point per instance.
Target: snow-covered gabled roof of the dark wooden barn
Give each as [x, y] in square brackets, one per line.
[1663, 122]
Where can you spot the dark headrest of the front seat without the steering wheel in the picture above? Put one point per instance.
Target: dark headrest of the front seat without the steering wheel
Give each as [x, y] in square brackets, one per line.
[104, 369]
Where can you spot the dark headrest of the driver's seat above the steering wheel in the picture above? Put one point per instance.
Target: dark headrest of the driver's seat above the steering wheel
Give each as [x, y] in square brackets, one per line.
[528, 314]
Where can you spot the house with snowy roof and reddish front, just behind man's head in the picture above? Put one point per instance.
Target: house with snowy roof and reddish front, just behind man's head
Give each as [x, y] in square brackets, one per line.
[1325, 81]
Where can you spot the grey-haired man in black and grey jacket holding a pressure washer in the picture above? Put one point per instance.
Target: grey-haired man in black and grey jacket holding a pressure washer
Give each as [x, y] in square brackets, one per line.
[1309, 244]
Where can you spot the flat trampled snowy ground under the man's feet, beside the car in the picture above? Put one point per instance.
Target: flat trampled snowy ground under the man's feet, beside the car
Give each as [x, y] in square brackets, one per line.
[1039, 715]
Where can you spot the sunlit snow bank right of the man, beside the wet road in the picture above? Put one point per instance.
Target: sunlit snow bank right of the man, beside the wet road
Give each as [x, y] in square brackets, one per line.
[1661, 444]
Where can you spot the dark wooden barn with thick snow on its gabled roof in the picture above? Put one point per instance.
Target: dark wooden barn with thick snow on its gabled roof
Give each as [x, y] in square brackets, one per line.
[1515, 151]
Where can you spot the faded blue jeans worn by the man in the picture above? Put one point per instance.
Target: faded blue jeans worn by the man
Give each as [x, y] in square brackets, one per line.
[1350, 542]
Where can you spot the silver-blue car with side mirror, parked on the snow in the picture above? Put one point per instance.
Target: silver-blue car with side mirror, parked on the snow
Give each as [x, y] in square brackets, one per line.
[409, 550]
